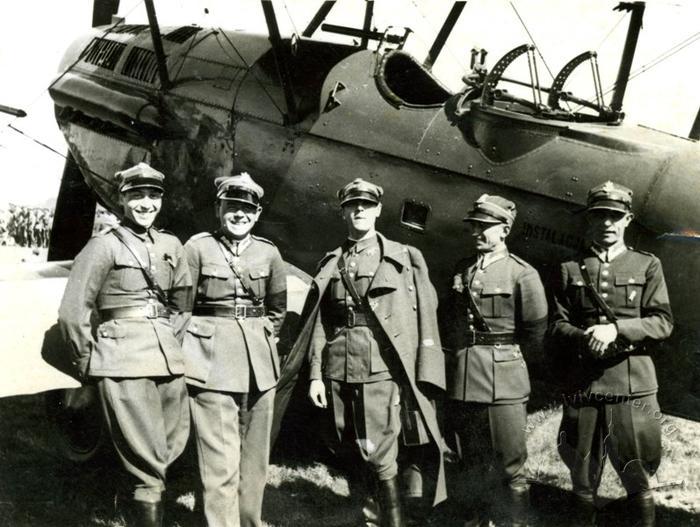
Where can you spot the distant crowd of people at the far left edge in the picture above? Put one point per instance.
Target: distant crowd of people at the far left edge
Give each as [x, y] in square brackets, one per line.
[26, 226]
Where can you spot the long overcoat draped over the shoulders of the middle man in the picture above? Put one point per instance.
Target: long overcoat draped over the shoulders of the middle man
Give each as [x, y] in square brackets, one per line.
[404, 302]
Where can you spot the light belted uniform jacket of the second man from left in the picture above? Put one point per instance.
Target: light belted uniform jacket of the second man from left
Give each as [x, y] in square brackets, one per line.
[223, 353]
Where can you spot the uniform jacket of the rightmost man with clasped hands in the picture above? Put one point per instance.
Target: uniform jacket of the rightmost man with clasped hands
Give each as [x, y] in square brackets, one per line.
[634, 288]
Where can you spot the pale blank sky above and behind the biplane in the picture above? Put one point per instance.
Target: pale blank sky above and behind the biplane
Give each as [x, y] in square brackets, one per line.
[35, 33]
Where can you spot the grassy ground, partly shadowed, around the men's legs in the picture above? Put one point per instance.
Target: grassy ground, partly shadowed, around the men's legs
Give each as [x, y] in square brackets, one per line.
[38, 488]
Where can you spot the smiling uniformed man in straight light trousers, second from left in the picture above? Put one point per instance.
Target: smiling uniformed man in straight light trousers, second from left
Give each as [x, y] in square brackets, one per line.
[231, 355]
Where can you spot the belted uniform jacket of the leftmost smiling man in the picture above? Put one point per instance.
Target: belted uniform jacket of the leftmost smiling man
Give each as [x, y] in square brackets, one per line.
[106, 275]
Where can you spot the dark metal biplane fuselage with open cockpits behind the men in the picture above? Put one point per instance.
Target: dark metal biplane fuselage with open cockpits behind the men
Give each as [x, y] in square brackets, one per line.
[380, 116]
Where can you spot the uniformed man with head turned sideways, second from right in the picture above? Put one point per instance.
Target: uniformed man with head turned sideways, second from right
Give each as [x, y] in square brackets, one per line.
[500, 316]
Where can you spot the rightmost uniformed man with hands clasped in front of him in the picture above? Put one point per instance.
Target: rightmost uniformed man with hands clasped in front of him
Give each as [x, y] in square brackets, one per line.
[611, 305]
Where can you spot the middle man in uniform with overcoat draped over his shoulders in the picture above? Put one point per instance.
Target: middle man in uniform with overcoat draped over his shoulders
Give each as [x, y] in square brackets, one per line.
[372, 338]
